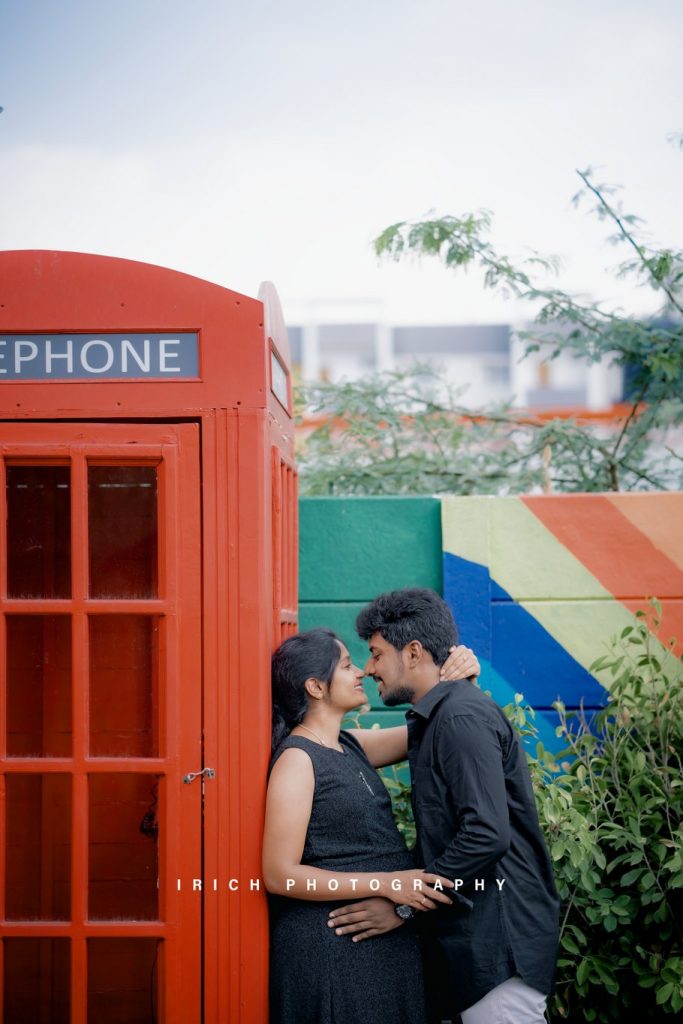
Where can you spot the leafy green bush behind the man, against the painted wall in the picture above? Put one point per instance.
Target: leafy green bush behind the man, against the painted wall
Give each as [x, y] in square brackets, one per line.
[612, 810]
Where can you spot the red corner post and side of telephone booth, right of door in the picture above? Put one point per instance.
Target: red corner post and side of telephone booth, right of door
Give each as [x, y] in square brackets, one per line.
[250, 592]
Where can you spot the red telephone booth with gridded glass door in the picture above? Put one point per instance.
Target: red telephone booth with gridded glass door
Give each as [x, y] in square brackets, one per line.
[148, 566]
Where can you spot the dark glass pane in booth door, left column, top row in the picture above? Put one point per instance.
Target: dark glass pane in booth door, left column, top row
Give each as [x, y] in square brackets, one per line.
[38, 532]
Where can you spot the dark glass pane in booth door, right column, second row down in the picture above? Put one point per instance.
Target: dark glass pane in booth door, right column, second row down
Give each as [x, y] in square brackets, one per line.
[123, 687]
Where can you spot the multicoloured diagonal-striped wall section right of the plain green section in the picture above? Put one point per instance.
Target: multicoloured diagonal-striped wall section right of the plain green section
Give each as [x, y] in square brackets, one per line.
[539, 586]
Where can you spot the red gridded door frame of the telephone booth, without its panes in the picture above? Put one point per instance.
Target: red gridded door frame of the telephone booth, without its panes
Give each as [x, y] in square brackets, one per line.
[174, 451]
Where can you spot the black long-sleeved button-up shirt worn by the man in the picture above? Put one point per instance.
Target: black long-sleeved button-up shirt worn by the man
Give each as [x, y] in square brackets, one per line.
[478, 825]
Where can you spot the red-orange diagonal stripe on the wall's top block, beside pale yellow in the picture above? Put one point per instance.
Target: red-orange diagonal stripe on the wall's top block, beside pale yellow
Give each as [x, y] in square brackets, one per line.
[620, 556]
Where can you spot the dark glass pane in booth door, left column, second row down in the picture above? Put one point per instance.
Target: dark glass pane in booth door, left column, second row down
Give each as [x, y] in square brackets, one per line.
[39, 702]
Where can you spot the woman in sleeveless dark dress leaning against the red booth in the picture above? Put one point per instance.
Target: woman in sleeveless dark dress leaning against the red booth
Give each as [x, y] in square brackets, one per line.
[330, 838]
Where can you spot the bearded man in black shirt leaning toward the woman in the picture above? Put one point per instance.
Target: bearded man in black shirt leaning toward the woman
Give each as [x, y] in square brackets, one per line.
[492, 955]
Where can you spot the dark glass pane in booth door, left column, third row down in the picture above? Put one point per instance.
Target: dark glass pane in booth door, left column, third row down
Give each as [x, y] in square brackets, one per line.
[38, 875]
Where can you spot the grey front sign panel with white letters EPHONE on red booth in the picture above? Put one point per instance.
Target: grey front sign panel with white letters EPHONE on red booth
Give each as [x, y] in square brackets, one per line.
[80, 357]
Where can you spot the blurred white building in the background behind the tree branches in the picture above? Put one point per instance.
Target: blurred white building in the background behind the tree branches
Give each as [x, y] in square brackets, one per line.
[484, 359]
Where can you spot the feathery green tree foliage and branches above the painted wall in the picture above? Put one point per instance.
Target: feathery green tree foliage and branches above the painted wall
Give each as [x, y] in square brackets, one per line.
[406, 433]
